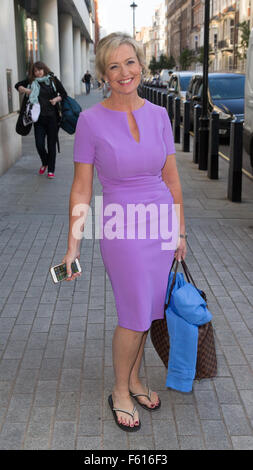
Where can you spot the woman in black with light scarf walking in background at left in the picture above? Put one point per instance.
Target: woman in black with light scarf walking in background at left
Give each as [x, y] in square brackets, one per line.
[45, 88]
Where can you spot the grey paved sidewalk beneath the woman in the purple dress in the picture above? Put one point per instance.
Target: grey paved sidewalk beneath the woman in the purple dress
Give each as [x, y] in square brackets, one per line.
[55, 341]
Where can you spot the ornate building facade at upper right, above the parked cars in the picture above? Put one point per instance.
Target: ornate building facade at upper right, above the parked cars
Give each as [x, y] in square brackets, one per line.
[185, 29]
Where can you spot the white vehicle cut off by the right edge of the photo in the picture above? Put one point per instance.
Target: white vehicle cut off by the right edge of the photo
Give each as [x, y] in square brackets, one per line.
[248, 123]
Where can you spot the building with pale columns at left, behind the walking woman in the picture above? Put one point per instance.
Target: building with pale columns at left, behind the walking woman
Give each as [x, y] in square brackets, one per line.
[58, 32]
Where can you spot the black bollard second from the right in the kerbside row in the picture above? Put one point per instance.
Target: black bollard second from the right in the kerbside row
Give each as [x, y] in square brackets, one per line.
[213, 148]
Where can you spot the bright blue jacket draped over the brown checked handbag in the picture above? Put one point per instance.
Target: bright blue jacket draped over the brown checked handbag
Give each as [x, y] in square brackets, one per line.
[186, 311]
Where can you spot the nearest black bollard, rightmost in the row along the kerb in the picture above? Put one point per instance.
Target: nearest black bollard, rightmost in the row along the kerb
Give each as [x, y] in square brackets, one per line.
[235, 164]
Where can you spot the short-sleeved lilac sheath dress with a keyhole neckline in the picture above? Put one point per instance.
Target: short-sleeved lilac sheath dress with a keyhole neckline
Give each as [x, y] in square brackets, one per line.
[130, 174]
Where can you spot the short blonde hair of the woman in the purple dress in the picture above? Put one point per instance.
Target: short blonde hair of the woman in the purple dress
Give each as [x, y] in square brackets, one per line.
[111, 42]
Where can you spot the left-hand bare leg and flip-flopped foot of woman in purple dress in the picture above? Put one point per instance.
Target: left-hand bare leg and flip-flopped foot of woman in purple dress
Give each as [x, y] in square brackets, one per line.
[125, 347]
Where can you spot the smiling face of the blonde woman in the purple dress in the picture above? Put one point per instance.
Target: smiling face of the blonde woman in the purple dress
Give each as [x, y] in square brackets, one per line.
[123, 70]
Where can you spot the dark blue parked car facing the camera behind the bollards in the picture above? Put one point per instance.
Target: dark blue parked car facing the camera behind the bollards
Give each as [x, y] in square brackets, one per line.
[225, 96]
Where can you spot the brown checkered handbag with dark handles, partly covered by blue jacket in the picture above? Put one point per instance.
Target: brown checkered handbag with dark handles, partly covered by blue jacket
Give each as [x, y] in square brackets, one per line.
[206, 365]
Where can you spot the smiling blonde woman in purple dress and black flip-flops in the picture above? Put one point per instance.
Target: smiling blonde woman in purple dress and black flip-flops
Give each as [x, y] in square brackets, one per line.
[130, 142]
